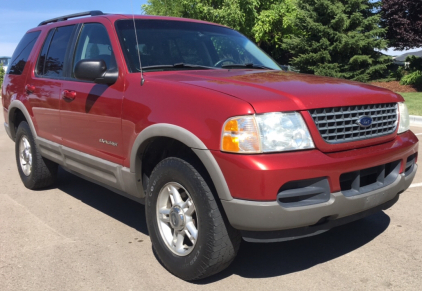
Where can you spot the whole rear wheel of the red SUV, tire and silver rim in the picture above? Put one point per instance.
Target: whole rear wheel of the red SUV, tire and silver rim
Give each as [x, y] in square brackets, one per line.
[35, 171]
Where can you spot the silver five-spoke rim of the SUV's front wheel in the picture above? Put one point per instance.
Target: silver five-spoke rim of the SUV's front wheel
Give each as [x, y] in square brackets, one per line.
[176, 218]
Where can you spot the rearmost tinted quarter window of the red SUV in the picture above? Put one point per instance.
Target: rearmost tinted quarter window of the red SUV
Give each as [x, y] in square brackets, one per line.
[22, 51]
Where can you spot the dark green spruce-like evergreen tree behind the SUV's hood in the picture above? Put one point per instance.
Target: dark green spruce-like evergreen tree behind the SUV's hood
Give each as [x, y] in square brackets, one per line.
[339, 39]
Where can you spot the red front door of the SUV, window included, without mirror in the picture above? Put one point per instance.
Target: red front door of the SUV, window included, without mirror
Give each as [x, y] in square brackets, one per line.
[90, 115]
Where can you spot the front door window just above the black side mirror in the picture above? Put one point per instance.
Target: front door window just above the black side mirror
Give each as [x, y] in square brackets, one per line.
[94, 43]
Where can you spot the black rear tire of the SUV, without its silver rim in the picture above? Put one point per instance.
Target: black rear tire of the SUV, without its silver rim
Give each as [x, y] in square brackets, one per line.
[43, 172]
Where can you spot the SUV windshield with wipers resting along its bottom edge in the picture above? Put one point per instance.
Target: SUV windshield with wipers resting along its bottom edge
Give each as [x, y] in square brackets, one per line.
[179, 45]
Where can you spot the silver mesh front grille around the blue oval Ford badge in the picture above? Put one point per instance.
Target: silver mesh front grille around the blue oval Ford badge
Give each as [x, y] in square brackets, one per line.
[339, 124]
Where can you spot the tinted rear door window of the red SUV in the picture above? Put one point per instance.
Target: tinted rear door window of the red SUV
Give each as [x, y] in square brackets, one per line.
[51, 59]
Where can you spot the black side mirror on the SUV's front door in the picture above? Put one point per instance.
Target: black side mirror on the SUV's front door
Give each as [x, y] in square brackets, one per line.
[95, 70]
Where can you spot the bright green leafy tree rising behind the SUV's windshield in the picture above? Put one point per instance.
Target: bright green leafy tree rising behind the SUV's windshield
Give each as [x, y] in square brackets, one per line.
[267, 22]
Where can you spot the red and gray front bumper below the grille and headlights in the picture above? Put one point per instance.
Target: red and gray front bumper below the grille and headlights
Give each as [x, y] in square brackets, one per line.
[256, 181]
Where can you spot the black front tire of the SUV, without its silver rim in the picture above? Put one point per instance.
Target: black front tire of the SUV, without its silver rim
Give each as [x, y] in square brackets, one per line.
[217, 243]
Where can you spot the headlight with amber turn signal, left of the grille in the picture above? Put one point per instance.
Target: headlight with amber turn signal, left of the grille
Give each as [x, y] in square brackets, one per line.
[270, 132]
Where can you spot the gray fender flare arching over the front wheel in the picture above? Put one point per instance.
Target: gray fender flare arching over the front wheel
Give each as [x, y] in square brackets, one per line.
[192, 141]
